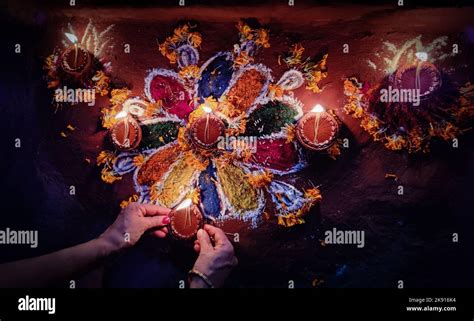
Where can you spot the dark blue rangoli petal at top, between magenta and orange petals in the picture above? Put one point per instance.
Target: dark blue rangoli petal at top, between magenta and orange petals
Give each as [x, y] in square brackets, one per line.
[216, 74]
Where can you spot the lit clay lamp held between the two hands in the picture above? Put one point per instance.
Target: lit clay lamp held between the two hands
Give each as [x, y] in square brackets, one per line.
[185, 220]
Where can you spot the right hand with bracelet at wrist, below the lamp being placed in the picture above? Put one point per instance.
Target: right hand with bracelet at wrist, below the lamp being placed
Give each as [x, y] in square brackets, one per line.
[214, 261]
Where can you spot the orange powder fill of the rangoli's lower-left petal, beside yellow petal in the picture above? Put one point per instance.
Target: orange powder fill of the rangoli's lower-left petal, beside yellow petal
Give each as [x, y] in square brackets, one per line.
[157, 165]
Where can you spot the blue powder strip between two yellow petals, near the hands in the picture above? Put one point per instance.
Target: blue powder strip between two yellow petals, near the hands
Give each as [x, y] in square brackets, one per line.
[209, 198]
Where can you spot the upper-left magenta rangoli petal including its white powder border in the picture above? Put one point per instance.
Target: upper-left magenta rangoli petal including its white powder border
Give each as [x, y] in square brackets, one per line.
[165, 85]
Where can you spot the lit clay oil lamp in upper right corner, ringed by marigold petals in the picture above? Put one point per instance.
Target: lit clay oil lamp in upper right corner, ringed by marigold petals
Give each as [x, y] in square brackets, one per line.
[421, 76]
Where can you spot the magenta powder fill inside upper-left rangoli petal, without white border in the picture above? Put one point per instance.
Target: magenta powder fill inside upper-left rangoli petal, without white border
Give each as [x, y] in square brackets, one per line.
[174, 97]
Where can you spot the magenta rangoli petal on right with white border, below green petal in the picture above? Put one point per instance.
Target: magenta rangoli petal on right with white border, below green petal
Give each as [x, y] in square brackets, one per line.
[277, 155]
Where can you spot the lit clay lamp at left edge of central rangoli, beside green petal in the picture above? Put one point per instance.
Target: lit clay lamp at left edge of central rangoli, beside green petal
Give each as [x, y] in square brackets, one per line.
[126, 133]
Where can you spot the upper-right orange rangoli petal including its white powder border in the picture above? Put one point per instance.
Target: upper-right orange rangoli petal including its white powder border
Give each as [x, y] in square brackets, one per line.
[248, 87]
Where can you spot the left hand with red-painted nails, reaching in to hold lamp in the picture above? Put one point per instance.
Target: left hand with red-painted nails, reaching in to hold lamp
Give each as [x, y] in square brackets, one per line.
[132, 222]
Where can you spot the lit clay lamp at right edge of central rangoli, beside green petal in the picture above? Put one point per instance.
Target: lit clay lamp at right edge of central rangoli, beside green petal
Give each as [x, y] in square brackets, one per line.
[317, 130]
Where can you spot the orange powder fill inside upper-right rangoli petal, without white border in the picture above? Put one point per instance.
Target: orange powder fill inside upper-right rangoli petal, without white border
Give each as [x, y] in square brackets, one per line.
[246, 89]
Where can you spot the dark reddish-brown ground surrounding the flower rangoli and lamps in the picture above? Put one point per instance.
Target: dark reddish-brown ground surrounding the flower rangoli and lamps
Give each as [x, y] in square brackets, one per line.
[407, 237]
